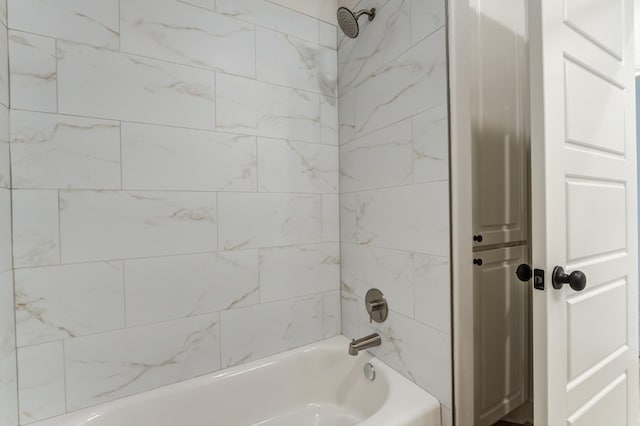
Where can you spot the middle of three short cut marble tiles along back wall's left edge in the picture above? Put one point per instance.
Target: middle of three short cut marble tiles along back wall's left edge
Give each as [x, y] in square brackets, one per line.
[36, 234]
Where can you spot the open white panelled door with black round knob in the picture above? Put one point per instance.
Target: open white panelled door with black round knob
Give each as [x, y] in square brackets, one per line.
[584, 211]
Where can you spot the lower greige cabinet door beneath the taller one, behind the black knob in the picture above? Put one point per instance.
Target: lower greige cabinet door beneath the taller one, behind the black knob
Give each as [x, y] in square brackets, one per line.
[502, 338]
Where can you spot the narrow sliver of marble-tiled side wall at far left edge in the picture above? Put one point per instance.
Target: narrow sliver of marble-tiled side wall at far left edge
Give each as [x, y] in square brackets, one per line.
[8, 368]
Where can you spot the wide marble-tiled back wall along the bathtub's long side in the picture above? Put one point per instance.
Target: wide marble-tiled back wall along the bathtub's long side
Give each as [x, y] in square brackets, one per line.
[175, 175]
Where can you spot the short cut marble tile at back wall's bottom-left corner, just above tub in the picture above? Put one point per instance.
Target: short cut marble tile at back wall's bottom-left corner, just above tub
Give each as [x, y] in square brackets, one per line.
[41, 386]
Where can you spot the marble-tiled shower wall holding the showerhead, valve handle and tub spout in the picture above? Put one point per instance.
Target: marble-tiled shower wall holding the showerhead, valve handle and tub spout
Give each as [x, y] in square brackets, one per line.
[394, 187]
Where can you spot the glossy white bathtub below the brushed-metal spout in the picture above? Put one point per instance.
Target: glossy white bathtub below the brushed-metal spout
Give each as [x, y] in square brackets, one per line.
[319, 385]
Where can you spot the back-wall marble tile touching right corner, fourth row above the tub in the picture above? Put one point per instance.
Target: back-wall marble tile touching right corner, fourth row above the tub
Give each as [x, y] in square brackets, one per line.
[286, 166]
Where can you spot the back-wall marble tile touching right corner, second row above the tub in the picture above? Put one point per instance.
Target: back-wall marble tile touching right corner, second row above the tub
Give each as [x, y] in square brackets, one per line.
[287, 272]
